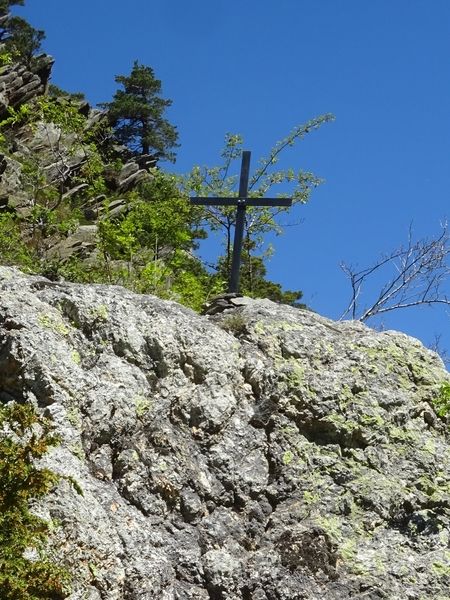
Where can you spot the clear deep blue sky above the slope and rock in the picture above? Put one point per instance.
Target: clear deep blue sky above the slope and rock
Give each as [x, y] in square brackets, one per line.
[260, 67]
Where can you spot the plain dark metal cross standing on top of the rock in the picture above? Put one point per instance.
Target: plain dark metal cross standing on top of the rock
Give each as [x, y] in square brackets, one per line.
[241, 202]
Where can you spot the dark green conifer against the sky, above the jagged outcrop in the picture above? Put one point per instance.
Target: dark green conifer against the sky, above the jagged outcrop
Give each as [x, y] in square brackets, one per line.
[136, 114]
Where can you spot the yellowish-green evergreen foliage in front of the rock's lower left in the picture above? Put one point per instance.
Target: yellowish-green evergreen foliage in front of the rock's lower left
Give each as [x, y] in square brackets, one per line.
[24, 438]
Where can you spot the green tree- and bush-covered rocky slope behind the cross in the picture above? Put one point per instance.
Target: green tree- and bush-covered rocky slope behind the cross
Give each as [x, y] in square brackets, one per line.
[82, 197]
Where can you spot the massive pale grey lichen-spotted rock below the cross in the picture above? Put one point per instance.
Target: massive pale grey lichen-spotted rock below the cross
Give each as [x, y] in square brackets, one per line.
[265, 453]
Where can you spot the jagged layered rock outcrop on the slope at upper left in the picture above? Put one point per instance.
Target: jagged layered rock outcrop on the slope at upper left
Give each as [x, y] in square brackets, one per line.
[42, 158]
